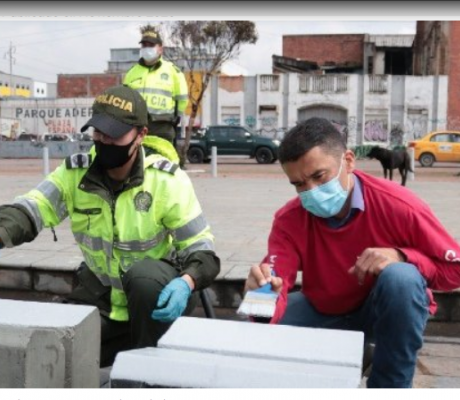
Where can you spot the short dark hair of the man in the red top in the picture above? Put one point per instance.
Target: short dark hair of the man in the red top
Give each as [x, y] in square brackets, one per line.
[308, 134]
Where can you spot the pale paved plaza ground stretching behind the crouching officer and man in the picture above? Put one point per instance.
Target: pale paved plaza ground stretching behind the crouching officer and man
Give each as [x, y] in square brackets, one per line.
[239, 205]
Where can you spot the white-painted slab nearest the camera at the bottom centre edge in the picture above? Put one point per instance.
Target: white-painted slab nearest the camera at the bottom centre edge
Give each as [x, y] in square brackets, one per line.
[159, 367]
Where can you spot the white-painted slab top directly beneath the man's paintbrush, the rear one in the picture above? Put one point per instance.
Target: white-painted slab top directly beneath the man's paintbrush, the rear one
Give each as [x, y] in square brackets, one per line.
[276, 342]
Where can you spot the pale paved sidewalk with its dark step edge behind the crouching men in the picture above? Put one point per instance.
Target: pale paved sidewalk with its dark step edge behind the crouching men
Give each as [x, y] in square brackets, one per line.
[240, 213]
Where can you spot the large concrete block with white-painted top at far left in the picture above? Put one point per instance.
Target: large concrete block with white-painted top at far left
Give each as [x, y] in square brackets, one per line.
[77, 328]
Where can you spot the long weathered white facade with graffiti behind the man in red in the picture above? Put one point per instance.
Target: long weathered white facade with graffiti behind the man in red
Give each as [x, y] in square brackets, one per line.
[381, 109]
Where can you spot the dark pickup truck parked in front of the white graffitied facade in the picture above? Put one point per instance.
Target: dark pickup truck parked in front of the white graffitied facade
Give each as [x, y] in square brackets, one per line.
[231, 140]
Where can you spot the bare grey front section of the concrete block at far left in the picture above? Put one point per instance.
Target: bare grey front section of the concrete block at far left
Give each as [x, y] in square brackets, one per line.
[31, 359]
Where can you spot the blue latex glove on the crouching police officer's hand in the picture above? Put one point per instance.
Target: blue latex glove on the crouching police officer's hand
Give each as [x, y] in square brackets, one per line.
[172, 301]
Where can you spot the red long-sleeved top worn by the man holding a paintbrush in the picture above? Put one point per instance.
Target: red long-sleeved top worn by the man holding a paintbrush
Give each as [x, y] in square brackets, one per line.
[393, 217]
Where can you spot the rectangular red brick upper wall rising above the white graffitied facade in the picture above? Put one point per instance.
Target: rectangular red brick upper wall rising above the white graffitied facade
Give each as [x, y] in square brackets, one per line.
[322, 48]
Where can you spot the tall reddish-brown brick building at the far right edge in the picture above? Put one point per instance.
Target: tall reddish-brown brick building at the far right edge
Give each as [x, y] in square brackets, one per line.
[437, 52]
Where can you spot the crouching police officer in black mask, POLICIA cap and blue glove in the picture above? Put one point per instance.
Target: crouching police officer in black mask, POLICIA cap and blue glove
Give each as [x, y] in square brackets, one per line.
[134, 214]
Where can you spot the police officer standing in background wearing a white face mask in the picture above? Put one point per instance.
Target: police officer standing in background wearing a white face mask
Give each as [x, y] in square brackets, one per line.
[161, 83]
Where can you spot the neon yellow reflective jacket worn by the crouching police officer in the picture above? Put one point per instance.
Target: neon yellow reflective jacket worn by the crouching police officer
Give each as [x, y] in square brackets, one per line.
[156, 216]
